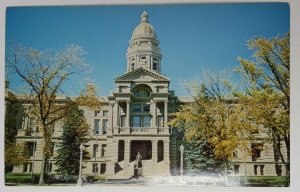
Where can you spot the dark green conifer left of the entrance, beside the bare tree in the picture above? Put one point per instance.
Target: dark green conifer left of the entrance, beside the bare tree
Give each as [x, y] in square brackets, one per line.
[75, 132]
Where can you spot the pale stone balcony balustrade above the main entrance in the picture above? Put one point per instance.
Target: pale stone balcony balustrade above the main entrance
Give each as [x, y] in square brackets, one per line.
[142, 131]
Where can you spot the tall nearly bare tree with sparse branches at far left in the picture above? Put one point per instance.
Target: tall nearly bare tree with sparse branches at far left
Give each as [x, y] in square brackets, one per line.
[44, 73]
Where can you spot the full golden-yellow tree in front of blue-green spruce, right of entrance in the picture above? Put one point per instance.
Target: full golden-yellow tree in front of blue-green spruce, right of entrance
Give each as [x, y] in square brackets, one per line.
[216, 117]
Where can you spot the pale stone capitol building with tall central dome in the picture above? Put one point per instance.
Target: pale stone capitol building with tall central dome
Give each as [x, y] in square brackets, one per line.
[134, 119]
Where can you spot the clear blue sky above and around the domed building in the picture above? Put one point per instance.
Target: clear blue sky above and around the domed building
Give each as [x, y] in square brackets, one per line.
[192, 37]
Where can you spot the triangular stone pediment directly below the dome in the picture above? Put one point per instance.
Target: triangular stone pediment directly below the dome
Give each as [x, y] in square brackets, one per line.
[142, 74]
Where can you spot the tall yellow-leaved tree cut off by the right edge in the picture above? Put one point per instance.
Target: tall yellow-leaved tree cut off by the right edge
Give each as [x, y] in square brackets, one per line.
[267, 90]
